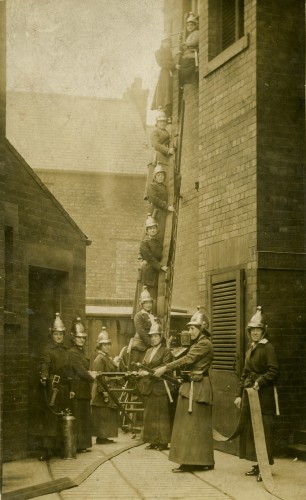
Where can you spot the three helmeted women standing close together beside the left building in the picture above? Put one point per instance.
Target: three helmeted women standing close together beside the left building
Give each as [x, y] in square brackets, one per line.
[69, 387]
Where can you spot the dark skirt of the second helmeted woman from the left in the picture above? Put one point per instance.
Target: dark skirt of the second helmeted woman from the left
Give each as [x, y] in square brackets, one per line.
[81, 411]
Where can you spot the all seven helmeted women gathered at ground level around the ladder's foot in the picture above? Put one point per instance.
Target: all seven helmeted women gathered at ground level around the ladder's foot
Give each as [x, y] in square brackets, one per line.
[179, 416]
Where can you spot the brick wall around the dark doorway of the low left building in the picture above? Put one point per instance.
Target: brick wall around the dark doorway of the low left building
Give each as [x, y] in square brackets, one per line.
[44, 237]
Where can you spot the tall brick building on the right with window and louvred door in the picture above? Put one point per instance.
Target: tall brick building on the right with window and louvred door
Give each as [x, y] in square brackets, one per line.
[241, 235]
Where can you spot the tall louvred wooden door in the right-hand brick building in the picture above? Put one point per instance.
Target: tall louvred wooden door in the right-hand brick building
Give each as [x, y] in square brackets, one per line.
[227, 328]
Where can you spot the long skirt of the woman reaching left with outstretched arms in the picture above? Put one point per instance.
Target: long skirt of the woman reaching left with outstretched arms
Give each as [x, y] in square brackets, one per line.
[192, 441]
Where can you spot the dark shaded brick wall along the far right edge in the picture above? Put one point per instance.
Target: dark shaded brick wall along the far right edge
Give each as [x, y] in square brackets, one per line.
[281, 194]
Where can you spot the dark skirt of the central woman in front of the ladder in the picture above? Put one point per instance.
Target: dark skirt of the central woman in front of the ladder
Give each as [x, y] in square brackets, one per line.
[156, 424]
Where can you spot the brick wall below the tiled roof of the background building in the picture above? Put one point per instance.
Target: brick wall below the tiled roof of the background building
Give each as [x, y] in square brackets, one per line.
[111, 212]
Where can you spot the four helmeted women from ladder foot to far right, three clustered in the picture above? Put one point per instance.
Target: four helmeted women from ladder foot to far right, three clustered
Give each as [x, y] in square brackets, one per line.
[190, 432]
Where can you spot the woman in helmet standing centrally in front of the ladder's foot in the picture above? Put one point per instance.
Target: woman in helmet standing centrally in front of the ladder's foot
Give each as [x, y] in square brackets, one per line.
[156, 392]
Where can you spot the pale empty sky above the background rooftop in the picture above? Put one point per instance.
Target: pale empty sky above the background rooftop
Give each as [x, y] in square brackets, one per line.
[83, 47]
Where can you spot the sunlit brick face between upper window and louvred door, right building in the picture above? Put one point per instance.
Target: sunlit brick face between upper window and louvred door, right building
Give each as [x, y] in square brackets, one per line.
[227, 158]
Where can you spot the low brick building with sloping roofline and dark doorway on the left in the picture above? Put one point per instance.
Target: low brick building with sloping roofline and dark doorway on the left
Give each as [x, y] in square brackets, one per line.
[42, 269]
